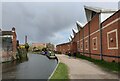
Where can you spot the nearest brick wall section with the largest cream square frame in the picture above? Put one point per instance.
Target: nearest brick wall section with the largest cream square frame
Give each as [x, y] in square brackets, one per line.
[111, 38]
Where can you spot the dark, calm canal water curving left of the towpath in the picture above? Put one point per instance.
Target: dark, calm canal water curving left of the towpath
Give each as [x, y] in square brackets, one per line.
[37, 67]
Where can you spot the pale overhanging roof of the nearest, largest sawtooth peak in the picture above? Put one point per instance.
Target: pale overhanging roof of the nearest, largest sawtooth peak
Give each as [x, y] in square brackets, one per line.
[99, 10]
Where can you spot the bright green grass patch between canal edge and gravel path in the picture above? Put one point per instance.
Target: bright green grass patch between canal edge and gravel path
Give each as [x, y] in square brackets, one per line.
[60, 73]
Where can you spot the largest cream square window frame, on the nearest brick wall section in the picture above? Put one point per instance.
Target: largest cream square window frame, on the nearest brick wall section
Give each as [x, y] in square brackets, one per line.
[115, 30]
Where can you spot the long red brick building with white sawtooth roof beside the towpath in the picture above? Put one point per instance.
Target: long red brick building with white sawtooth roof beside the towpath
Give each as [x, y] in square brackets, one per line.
[100, 37]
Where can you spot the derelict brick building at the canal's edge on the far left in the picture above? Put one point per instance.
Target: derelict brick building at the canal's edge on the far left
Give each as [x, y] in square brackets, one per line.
[9, 43]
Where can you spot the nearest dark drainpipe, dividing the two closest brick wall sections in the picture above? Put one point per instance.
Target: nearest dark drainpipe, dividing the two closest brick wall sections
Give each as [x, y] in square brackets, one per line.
[100, 27]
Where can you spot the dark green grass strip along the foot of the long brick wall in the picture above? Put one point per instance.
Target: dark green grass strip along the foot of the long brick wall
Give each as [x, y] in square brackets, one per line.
[109, 66]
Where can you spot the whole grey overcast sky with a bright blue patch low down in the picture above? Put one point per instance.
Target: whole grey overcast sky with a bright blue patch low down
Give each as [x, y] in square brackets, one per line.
[46, 22]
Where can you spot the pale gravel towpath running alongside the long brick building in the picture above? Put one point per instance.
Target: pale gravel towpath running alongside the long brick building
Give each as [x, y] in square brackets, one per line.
[83, 69]
